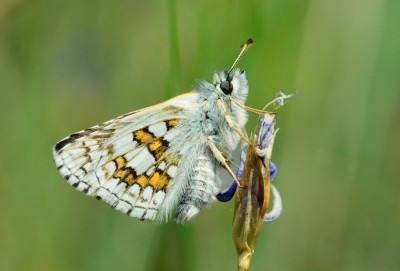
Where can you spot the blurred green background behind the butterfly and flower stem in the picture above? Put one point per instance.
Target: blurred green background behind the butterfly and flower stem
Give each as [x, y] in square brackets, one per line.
[67, 65]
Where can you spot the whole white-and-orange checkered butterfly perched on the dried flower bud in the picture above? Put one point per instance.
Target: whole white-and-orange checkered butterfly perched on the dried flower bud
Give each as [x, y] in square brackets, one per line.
[161, 159]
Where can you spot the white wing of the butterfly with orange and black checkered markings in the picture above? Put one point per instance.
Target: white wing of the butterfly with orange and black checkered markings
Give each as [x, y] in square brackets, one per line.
[126, 161]
